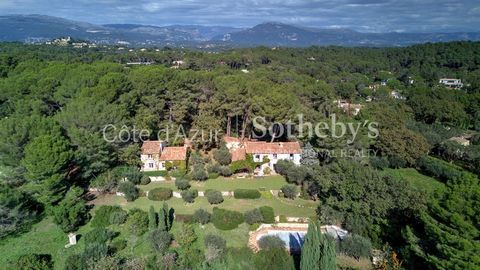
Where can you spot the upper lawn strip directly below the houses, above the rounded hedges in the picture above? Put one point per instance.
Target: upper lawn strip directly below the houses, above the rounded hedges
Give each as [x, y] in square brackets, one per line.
[227, 184]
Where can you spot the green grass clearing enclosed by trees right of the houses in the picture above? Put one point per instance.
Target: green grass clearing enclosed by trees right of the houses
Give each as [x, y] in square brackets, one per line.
[416, 179]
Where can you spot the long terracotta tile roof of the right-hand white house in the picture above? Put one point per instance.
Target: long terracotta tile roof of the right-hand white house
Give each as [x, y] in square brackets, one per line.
[272, 148]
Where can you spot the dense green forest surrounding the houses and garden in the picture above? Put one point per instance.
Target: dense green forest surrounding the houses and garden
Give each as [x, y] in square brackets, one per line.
[56, 101]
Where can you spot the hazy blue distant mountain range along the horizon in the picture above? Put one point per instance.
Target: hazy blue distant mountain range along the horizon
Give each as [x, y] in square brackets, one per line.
[40, 28]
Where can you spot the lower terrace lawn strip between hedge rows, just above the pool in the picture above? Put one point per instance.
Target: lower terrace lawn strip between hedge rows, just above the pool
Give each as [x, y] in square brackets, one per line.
[281, 206]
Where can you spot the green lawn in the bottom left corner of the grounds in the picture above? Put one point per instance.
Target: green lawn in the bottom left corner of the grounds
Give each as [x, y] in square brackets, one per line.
[45, 237]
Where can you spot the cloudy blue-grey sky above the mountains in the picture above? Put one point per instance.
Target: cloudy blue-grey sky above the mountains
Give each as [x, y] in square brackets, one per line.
[360, 15]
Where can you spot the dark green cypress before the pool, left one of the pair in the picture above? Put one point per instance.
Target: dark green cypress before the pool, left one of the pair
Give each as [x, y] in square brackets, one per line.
[311, 248]
